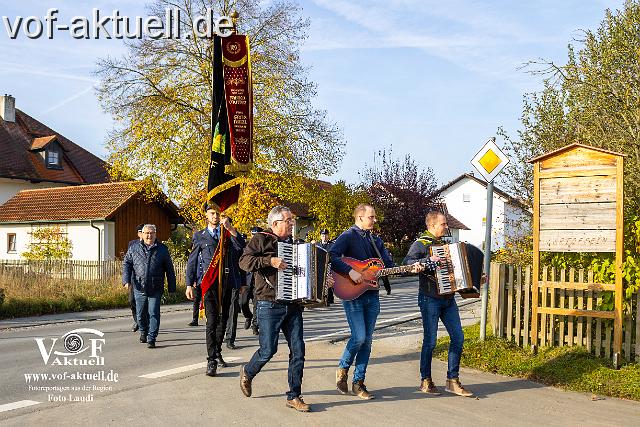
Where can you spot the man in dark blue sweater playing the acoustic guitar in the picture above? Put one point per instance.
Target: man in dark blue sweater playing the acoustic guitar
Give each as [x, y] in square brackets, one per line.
[362, 312]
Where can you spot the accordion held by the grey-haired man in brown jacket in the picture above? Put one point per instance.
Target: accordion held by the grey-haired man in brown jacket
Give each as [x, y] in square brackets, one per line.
[304, 279]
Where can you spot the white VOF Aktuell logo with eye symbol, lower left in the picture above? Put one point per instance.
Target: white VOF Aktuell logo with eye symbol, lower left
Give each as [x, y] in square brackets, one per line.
[80, 347]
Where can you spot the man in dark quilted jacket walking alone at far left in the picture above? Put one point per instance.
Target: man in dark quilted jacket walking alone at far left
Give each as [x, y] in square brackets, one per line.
[145, 266]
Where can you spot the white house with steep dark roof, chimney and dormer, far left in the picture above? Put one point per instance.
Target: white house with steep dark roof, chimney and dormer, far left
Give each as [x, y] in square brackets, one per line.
[33, 155]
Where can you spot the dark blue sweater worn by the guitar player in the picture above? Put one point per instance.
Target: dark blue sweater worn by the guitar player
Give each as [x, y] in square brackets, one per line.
[355, 243]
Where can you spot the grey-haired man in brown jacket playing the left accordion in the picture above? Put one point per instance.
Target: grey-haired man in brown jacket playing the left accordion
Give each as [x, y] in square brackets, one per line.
[261, 257]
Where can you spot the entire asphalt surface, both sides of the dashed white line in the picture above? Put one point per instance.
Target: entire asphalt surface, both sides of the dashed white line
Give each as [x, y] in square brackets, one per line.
[167, 385]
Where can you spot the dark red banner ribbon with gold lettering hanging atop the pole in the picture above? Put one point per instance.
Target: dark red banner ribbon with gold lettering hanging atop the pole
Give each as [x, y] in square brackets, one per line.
[239, 101]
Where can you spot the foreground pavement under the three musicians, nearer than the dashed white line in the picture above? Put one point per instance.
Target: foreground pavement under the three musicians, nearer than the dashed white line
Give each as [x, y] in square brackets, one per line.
[194, 399]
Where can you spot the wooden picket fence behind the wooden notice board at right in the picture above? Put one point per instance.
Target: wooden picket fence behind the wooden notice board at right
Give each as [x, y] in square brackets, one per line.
[510, 317]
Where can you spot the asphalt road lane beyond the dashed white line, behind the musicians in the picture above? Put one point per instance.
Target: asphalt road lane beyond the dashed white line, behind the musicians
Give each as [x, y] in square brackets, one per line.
[178, 346]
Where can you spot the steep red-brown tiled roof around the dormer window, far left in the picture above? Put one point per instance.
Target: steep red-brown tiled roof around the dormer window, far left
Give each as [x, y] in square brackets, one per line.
[16, 161]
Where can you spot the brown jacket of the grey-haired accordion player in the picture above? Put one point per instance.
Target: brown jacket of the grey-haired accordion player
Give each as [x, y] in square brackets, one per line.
[256, 258]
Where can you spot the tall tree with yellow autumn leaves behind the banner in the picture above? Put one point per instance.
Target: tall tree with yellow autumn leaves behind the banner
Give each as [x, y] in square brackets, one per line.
[159, 95]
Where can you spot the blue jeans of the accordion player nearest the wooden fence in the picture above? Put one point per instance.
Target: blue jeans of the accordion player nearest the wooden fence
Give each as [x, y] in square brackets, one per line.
[446, 310]
